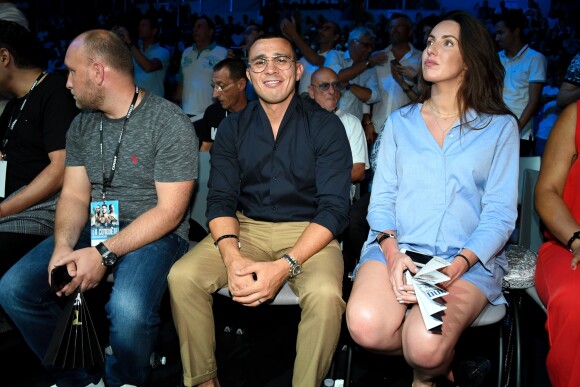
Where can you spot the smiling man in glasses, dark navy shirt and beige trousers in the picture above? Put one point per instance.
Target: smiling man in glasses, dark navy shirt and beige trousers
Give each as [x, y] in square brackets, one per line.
[278, 197]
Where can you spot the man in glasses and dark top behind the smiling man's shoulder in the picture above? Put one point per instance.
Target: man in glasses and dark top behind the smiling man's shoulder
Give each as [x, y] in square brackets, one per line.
[229, 89]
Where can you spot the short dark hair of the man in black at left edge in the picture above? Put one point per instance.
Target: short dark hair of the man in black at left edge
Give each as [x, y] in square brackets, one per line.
[21, 44]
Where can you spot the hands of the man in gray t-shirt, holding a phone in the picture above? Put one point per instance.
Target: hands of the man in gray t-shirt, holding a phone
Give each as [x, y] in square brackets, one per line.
[84, 265]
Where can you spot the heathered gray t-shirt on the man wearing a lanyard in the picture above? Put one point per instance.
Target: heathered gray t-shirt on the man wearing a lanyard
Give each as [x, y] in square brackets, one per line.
[159, 145]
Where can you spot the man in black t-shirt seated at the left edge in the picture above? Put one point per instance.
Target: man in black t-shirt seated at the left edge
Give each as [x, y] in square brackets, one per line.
[33, 128]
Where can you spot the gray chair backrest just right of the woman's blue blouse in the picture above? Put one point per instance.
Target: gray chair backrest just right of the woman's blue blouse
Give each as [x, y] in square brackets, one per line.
[530, 234]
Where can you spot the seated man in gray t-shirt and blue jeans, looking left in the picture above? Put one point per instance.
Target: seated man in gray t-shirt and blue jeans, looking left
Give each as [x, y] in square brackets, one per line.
[133, 155]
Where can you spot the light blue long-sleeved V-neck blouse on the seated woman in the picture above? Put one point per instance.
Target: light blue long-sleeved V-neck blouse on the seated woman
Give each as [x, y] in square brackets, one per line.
[440, 200]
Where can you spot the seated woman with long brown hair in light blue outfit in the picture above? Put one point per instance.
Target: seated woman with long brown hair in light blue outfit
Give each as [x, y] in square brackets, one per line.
[445, 185]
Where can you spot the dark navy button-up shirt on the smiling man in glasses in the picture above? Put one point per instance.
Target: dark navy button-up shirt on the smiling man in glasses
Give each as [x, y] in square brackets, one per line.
[302, 175]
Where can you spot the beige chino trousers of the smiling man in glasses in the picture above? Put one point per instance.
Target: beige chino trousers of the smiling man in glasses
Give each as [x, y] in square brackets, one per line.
[201, 272]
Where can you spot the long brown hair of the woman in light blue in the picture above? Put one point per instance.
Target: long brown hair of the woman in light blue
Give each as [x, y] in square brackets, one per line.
[482, 85]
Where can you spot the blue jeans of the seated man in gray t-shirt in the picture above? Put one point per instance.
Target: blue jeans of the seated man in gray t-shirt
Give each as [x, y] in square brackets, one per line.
[132, 310]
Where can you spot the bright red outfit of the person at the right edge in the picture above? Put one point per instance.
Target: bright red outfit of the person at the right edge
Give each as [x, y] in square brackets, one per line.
[559, 288]
